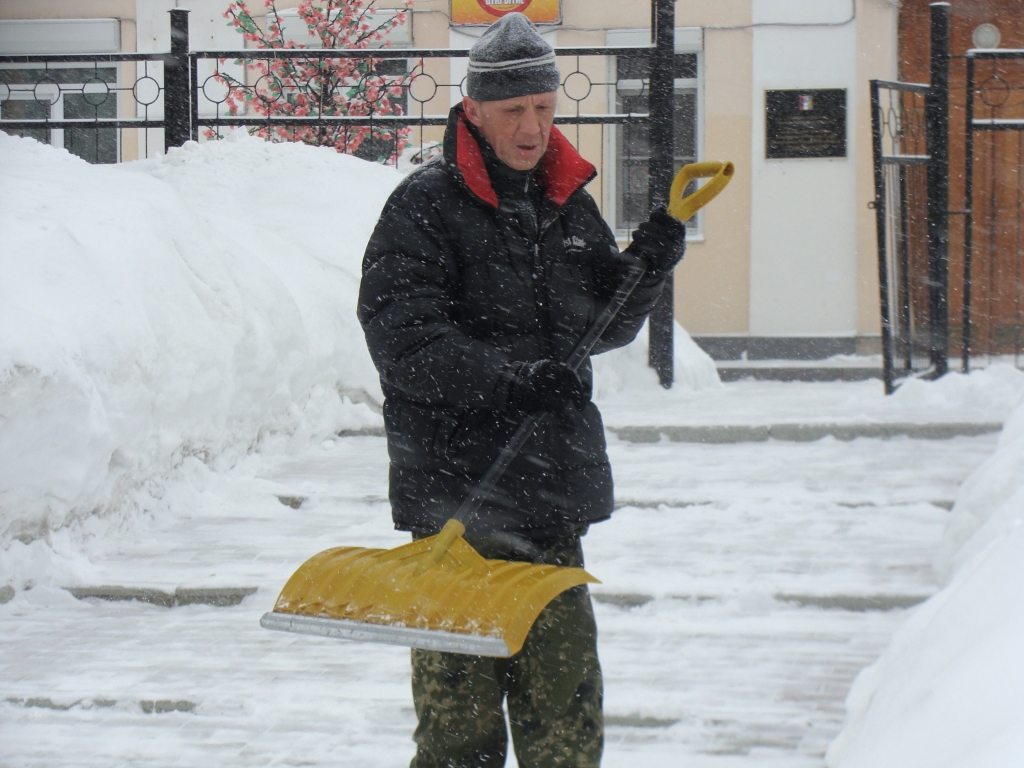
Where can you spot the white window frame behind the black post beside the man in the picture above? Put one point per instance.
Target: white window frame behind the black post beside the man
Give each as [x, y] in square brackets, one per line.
[689, 40]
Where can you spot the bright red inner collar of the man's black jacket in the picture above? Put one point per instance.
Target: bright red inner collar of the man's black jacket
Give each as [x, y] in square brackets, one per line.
[563, 169]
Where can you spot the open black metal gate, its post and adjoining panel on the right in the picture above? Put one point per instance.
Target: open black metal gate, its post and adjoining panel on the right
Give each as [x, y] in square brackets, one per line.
[984, 316]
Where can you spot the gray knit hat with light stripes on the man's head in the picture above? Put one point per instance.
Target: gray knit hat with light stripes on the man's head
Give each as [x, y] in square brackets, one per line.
[511, 60]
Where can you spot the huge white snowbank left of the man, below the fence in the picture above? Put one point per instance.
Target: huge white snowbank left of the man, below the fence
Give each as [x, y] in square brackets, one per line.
[195, 306]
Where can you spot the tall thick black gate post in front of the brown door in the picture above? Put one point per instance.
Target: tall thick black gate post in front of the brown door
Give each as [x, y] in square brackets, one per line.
[937, 119]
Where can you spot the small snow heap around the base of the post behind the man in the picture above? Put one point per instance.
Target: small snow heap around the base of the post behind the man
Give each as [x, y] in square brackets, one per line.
[625, 374]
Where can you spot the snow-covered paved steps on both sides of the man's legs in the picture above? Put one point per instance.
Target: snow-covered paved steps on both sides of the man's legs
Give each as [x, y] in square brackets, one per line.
[732, 610]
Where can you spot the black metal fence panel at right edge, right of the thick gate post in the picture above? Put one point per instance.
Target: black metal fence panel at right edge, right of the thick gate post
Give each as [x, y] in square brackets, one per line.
[993, 323]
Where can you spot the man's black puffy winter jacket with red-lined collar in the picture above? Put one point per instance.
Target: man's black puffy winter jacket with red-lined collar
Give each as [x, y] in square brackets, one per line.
[455, 287]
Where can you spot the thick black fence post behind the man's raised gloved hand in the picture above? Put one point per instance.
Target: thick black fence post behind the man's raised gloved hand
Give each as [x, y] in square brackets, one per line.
[663, 81]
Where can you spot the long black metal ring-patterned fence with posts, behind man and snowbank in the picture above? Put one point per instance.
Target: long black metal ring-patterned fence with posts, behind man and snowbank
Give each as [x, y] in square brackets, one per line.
[393, 103]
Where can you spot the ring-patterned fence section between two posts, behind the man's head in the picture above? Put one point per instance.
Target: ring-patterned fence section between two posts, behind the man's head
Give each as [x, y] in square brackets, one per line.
[387, 97]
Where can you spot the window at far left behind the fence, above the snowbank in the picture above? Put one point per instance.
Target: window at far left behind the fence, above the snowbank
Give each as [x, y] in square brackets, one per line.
[66, 94]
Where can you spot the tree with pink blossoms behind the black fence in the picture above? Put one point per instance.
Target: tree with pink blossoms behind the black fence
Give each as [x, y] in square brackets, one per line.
[325, 88]
